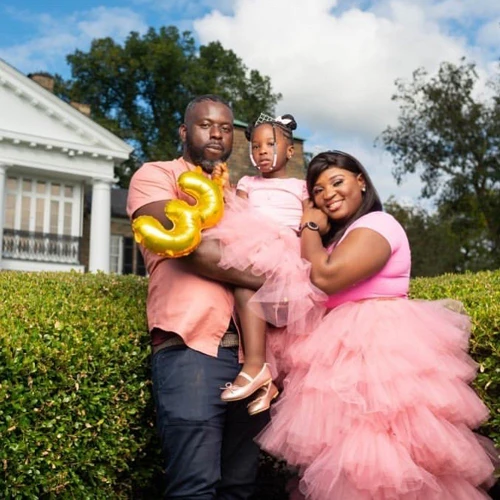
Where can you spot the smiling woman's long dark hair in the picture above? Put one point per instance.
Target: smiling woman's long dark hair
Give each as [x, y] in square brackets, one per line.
[370, 203]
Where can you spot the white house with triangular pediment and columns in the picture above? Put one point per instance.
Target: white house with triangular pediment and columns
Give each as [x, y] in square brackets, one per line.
[50, 154]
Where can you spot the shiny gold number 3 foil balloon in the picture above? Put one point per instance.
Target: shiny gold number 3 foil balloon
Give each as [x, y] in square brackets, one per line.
[188, 220]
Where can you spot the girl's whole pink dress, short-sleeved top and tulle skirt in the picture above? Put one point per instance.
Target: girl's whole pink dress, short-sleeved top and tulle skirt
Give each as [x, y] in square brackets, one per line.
[260, 234]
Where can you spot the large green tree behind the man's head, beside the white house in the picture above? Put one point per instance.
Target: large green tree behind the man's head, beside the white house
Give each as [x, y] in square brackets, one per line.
[139, 89]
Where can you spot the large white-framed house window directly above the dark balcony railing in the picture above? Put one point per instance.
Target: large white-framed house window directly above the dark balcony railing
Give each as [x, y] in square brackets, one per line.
[42, 206]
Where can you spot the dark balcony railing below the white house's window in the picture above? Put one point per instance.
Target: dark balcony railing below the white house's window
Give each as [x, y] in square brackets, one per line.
[40, 247]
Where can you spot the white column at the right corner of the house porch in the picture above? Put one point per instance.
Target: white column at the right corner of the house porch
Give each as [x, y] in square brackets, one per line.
[100, 226]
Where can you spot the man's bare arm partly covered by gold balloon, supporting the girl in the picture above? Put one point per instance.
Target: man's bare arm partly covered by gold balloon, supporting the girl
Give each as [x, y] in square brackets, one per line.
[203, 261]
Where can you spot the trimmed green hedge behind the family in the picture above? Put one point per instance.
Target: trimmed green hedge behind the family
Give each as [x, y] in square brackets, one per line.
[76, 416]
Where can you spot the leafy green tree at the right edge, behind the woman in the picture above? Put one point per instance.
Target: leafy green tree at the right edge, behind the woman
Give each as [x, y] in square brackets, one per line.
[449, 134]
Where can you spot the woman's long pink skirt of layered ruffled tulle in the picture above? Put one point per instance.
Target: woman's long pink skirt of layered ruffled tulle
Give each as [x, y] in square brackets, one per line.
[377, 405]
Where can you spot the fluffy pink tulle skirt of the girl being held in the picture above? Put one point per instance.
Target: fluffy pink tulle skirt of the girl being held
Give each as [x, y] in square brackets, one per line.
[250, 241]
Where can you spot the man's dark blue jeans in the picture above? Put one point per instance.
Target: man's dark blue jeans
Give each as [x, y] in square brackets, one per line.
[207, 444]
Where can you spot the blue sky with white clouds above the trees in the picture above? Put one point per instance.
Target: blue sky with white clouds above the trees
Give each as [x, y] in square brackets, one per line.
[334, 61]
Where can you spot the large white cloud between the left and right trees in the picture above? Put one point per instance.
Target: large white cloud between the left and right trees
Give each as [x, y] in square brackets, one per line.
[336, 65]
